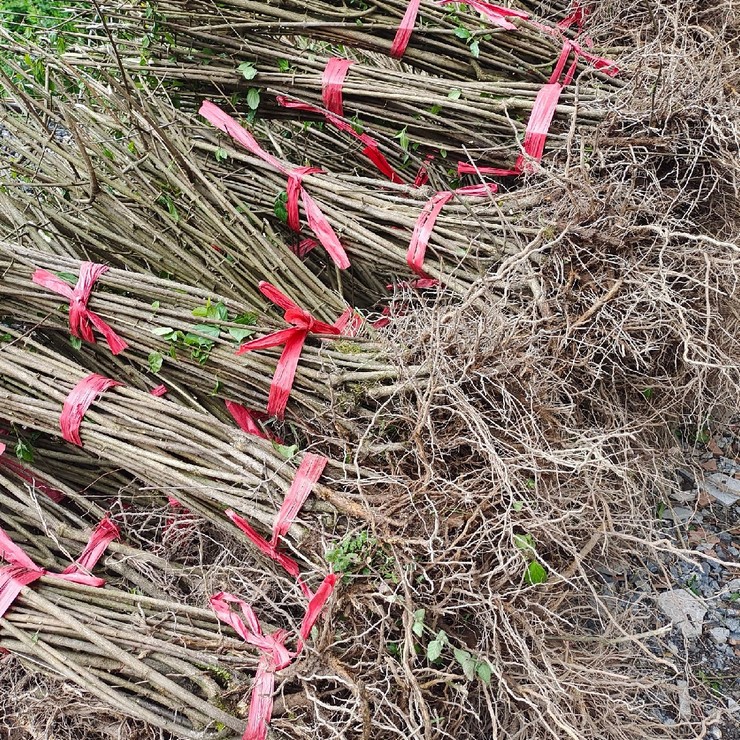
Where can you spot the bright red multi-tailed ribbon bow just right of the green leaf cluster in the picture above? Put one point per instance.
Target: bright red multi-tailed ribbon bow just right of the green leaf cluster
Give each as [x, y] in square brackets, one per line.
[293, 339]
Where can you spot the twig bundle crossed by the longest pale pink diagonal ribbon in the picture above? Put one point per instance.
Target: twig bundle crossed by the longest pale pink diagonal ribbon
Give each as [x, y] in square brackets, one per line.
[379, 223]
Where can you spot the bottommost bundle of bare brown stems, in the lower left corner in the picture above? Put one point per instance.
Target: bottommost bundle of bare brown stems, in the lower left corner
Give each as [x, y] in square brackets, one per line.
[157, 660]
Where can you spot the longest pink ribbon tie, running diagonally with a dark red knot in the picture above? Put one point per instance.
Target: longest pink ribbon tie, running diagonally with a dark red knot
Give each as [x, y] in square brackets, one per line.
[317, 221]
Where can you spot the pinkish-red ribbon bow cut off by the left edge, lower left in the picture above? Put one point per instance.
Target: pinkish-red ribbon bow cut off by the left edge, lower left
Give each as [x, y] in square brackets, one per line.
[22, 571]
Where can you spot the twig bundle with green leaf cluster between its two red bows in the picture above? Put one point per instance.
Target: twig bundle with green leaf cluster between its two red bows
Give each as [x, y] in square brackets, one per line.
[187, 338]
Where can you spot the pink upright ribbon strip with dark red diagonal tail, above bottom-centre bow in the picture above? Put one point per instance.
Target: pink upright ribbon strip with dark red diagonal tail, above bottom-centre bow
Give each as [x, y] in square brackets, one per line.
[308, 473]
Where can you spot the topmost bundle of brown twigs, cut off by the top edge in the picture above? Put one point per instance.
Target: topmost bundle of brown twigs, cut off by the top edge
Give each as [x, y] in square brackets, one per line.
[445, 40]
